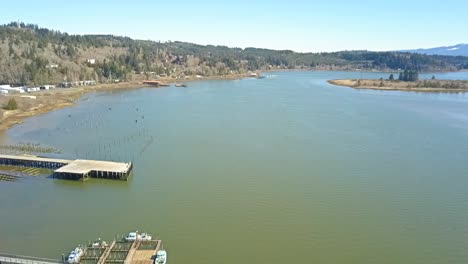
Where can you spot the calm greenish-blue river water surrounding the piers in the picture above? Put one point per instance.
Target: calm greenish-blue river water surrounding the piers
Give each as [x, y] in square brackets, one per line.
[284, 169]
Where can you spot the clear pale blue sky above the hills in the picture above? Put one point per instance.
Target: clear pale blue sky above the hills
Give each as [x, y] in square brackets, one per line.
[288, 24]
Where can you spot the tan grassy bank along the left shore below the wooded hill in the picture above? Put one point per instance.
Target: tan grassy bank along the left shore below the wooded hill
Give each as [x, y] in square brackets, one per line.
[46, 101]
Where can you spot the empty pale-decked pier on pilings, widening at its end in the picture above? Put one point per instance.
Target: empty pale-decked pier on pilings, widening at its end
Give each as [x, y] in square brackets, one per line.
[73, 169]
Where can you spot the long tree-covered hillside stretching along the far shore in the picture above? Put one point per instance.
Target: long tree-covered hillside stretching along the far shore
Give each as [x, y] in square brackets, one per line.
[33, 55]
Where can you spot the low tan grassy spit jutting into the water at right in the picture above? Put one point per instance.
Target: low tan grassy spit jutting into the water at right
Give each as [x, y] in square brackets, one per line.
[448, 86]
